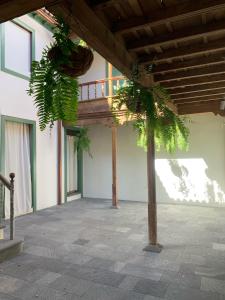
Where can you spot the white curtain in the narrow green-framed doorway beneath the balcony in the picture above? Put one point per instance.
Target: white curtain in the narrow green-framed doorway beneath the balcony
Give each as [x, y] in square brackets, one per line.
[71, 164]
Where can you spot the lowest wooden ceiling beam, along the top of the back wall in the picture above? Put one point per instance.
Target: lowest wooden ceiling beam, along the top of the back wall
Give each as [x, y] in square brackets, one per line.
[193, 108]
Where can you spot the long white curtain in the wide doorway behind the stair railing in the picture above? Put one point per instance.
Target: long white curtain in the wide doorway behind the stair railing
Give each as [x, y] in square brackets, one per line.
[17, 160]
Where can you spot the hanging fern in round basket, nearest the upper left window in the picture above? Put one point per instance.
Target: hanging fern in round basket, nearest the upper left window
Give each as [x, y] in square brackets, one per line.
[53, 82]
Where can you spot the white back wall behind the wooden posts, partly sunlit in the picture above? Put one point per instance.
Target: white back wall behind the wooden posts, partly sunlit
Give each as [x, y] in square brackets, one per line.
[193, 177]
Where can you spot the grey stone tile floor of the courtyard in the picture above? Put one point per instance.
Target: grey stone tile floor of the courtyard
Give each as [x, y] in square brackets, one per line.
[85, 250]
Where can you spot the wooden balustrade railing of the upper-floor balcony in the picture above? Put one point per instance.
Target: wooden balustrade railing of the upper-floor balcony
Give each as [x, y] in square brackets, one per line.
[100, 88]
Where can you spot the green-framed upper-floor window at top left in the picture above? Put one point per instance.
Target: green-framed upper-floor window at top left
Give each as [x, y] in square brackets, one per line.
[17, 48]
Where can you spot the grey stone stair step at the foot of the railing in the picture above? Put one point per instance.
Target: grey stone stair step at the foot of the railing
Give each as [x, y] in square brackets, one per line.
[9, 249]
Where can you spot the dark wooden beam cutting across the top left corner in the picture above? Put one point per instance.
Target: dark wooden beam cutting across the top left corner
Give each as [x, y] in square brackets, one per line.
[10, 9]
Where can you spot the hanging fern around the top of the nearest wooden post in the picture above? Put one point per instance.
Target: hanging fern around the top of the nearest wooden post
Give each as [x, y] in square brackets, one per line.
[147, 107]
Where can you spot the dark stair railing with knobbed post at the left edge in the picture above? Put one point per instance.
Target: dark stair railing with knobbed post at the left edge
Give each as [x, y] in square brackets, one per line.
[10, 186]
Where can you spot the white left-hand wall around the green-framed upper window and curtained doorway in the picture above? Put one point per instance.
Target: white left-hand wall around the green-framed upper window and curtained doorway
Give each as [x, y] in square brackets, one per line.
[15, 102]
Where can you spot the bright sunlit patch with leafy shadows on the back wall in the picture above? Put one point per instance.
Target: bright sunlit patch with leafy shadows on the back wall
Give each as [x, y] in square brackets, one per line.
[189, 180]
